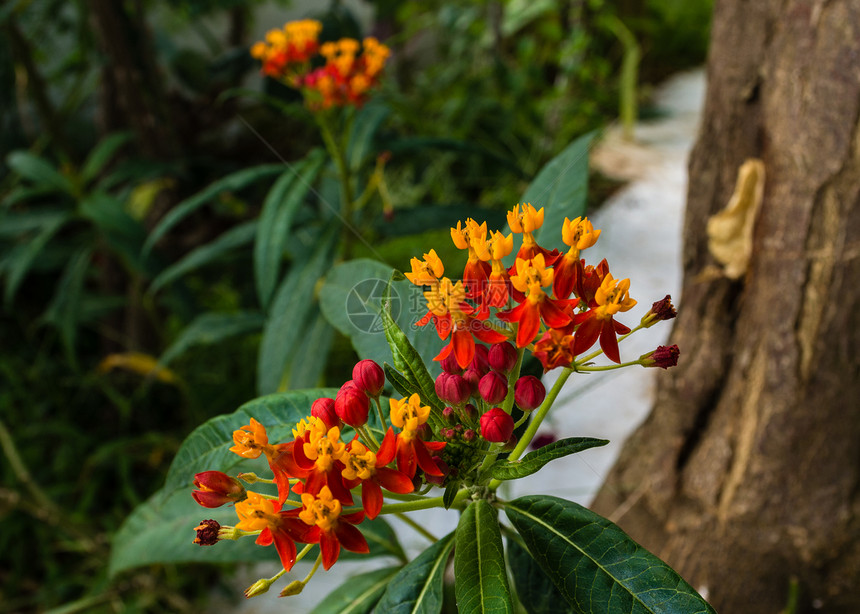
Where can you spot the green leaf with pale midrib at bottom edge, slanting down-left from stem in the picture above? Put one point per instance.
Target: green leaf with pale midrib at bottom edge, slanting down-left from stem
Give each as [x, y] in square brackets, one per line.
[417, 588]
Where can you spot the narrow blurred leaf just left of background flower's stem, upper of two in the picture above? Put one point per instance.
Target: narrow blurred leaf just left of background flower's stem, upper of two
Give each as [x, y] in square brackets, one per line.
[276, 219]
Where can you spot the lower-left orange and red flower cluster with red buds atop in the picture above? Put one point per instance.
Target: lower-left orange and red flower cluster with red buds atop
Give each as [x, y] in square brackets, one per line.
[323, 470]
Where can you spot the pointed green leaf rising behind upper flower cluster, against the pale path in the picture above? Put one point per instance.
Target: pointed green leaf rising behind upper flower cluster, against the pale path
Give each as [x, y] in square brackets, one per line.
[561, 187]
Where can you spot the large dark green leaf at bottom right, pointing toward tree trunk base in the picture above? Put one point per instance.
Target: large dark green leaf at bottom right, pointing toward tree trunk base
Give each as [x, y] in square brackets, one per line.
[595, 565]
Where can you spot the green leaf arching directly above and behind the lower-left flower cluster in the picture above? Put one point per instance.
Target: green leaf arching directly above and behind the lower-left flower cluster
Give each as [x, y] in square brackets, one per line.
[208, 446]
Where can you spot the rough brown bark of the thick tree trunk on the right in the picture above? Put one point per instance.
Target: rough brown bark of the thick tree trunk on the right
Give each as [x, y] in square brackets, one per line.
[746, 475]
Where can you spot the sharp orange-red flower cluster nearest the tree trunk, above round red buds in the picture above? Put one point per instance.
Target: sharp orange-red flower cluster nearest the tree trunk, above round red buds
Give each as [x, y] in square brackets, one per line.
[548, 302]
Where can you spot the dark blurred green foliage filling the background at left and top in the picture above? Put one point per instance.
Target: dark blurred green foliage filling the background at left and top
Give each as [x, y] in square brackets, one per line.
[114, 116]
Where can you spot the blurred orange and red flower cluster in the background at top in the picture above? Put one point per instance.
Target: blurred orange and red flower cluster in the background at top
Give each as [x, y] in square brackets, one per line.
[349, 70]
